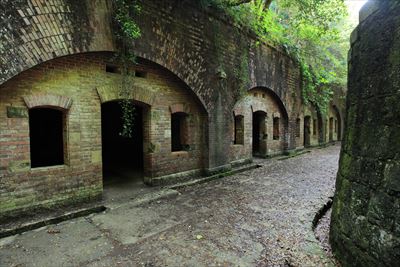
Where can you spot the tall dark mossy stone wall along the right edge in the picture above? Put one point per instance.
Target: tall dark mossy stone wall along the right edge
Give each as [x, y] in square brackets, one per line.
[365, 229]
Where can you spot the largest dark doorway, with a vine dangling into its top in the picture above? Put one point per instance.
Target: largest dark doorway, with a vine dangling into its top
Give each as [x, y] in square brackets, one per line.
[122, 156]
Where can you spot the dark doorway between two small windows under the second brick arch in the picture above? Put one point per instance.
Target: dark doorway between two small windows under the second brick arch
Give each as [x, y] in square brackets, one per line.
[259, 133]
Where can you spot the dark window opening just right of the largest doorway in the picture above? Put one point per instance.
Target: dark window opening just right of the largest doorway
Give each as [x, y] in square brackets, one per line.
[179, 131]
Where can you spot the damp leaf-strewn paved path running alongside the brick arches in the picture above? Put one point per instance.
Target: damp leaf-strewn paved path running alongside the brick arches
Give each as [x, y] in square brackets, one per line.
[261, 217]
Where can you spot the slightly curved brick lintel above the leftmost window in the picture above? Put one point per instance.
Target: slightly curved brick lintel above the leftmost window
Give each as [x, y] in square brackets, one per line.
[48, 100]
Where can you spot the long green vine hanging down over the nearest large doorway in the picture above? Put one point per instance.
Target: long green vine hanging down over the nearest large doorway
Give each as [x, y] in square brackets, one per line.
[125, 12]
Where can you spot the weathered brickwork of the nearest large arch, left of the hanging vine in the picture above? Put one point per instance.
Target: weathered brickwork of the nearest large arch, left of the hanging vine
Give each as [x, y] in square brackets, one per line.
[39, 31]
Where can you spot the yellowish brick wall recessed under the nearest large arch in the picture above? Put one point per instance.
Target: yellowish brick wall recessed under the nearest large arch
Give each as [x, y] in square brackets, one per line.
[72, 83]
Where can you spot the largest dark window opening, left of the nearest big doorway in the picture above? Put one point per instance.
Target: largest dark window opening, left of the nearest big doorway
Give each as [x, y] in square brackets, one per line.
[46, 129]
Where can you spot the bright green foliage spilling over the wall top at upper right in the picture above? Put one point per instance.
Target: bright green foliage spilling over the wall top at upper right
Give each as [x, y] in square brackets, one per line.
[313, 32]
